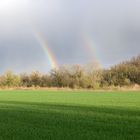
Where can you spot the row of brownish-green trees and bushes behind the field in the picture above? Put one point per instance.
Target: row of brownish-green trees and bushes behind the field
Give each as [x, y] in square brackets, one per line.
[75, 76]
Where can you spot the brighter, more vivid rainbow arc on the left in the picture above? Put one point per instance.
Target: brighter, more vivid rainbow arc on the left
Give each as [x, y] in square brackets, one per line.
[45, 47]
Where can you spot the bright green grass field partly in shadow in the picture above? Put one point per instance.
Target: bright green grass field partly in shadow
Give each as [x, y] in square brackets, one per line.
[67, 115]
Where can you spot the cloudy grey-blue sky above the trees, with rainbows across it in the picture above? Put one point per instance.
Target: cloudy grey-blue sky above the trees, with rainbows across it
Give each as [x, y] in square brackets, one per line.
[74, 31]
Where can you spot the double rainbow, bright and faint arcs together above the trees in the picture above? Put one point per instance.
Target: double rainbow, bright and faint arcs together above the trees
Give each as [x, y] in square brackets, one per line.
[88, 44]
